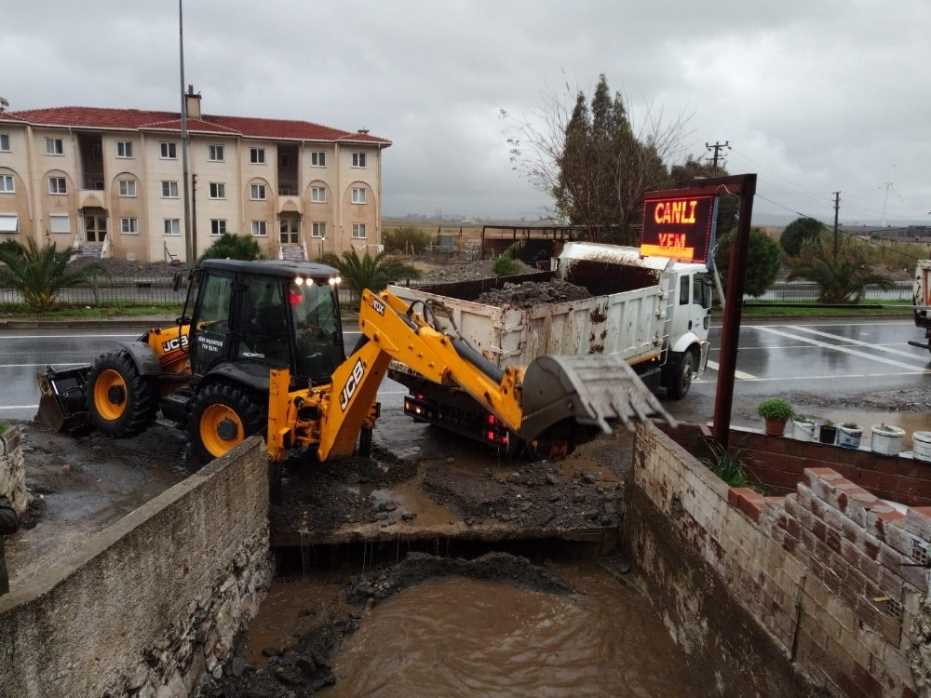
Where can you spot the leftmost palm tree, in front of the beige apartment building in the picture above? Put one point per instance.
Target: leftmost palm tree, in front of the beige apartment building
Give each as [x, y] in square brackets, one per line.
[39, 273]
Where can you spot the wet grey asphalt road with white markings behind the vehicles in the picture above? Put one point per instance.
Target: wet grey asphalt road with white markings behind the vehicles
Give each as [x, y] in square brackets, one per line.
[827, 357]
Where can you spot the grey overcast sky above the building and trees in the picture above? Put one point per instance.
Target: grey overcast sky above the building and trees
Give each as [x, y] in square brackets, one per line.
[814, 95]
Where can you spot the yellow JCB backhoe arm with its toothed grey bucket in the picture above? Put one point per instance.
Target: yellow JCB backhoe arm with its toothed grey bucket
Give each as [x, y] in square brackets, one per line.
[592, 390]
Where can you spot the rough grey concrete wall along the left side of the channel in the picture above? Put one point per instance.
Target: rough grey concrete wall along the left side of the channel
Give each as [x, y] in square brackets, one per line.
[148, 605]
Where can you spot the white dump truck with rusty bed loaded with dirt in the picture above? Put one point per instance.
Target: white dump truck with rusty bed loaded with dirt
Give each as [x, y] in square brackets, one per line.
[652, 311]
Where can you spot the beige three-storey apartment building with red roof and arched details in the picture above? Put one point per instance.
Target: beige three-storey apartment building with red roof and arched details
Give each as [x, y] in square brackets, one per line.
[109, 181]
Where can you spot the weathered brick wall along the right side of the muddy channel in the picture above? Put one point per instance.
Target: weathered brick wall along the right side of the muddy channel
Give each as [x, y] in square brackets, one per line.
[783, 596]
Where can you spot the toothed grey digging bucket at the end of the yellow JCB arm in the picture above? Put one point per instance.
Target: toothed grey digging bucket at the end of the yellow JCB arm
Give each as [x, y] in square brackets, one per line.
[594, 390]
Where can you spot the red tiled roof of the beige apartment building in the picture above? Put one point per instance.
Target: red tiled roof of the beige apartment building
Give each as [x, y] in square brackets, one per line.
[255, 127]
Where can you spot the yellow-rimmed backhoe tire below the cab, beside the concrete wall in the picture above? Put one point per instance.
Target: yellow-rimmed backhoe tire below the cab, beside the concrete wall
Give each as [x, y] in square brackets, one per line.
[222, 417]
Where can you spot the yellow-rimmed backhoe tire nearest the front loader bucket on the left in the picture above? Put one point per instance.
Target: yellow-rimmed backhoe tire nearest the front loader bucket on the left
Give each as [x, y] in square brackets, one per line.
[120, 401]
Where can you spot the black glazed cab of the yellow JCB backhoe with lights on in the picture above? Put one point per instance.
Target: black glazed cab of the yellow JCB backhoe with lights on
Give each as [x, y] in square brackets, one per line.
[249, 317]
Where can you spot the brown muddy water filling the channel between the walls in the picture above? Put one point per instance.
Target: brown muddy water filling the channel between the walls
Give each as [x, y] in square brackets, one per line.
[460, 637]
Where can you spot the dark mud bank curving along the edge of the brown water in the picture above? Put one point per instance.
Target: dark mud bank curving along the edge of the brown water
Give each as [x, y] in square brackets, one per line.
[304, 667]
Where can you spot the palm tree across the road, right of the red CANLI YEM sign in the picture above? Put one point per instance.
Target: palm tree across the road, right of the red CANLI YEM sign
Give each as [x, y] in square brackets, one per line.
[842, 277]
